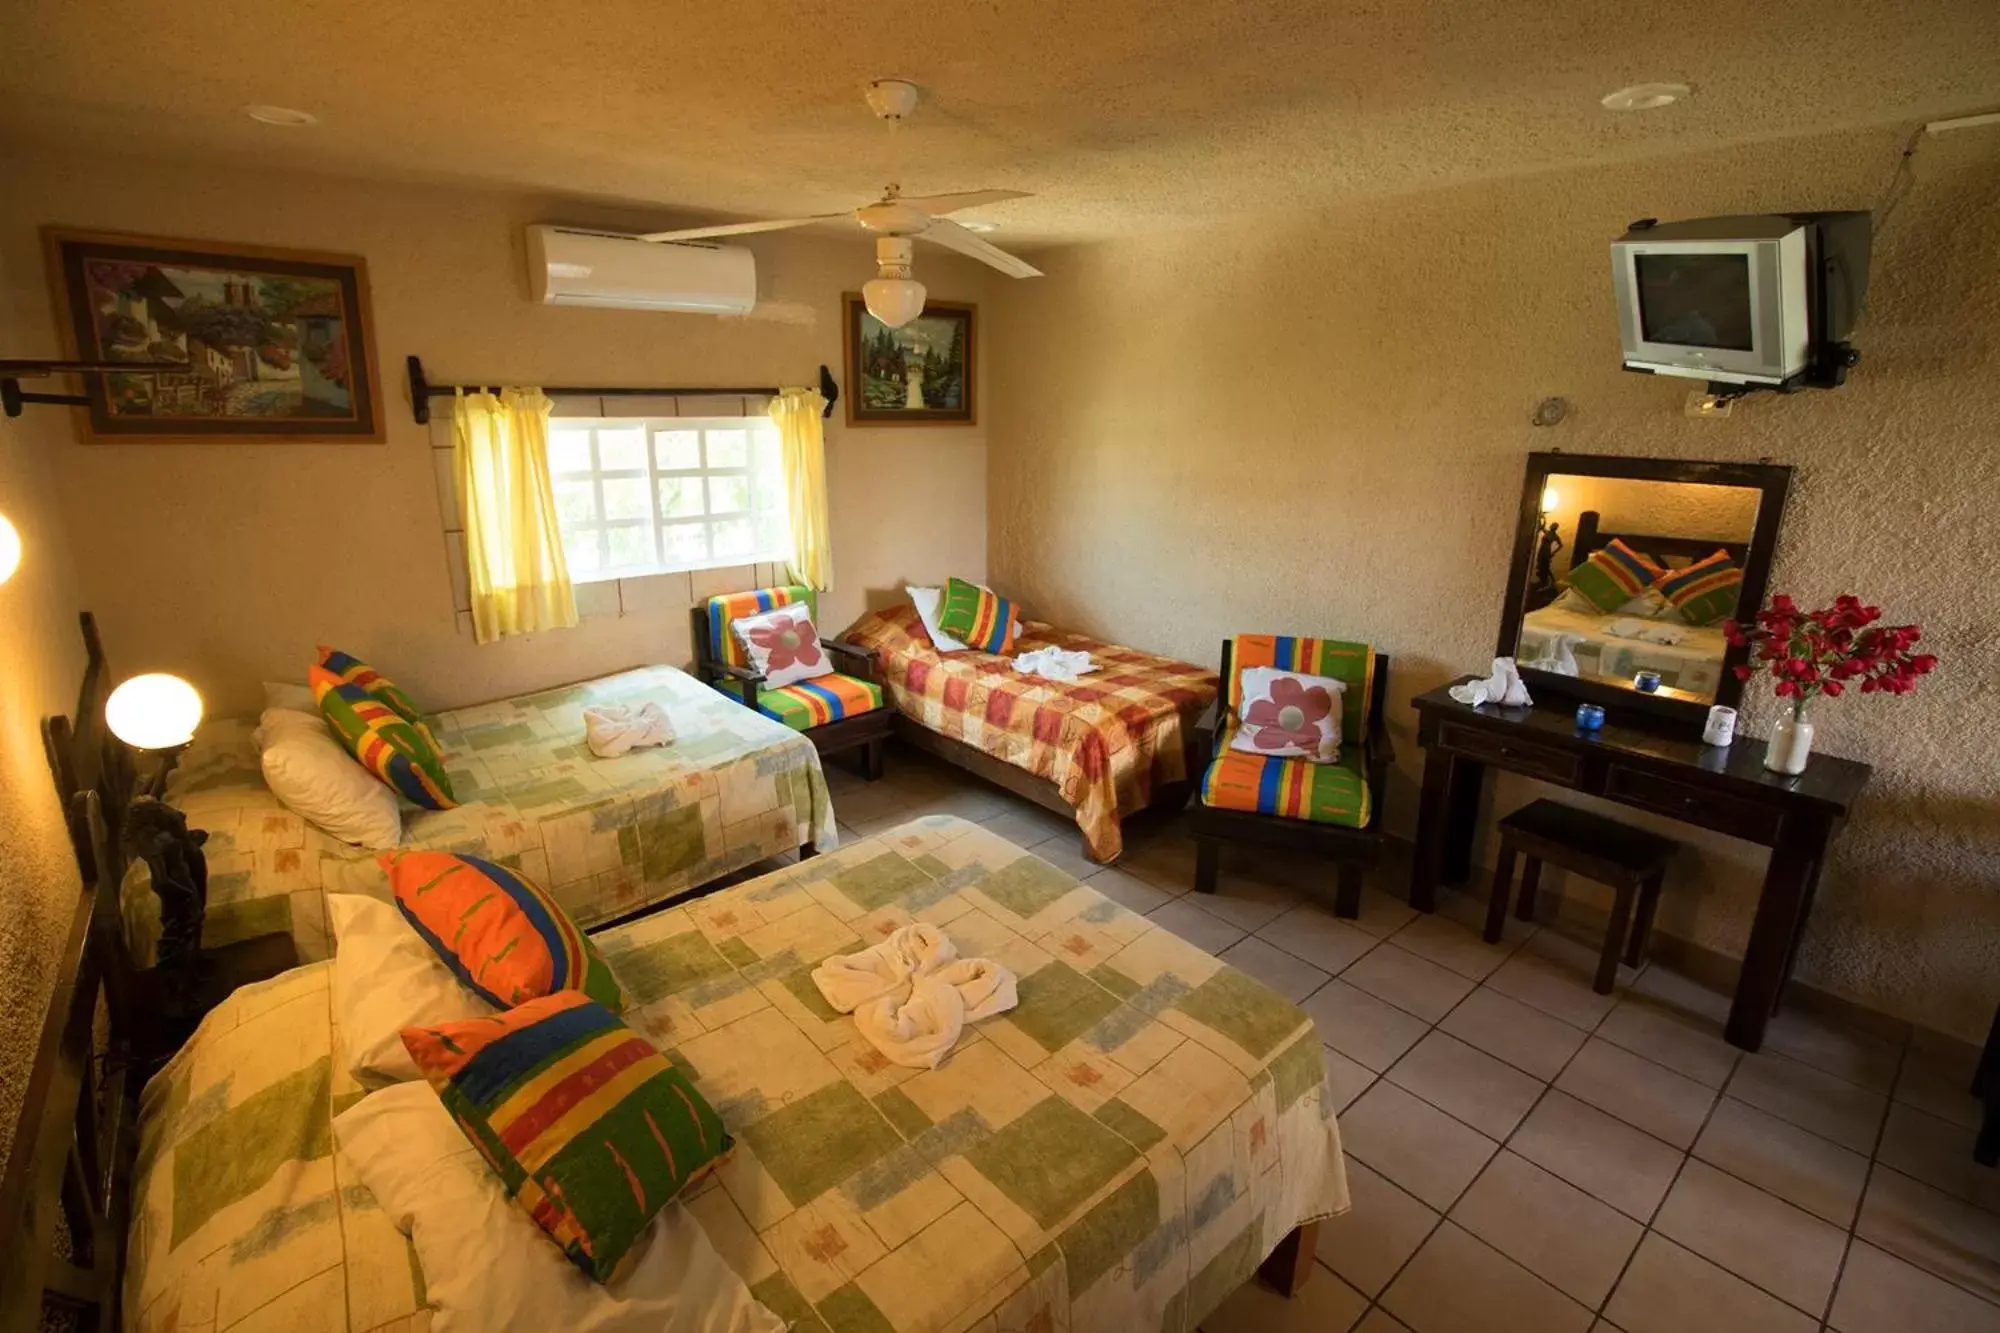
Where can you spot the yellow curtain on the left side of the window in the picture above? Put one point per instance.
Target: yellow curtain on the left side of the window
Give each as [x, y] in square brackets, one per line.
[521, 581]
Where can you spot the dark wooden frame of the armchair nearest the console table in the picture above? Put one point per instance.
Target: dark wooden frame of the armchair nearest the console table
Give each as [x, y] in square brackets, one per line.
[1351, 850]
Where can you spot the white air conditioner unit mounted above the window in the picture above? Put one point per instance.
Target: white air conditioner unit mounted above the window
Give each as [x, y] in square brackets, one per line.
[575, 267]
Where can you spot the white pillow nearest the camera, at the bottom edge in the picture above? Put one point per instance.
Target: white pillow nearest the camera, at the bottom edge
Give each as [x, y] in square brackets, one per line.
[489, 1268]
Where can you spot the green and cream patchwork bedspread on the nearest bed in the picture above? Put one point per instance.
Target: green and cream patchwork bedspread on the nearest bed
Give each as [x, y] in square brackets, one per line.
[1115, 1154]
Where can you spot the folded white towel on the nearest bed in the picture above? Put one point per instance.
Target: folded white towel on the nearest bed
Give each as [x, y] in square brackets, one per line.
[913, 996]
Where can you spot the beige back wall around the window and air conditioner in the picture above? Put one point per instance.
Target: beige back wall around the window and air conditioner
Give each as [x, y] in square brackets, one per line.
[229, 563]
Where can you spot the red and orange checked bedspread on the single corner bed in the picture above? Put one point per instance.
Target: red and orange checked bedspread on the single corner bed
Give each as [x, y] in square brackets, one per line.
[1107, 742]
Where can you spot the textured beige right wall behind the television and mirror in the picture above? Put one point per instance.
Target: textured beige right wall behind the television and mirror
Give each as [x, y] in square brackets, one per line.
[1319, 425]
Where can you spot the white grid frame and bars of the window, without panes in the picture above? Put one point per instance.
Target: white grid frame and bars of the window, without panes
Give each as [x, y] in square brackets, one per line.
[763, 487]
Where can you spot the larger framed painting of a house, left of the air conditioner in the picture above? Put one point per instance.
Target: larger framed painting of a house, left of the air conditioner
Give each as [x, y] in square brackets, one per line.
[277, 343]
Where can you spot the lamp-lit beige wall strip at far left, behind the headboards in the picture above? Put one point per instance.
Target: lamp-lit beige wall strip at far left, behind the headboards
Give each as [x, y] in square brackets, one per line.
[41, 665]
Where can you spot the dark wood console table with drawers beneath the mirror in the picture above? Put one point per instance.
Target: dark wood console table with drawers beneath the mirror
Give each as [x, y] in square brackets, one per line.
[1651, 770]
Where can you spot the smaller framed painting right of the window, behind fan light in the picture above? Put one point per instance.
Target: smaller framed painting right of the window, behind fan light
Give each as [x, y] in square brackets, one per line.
[919, 375]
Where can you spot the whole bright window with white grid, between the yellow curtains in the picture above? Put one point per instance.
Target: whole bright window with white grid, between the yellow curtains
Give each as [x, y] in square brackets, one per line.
[659, 495]
